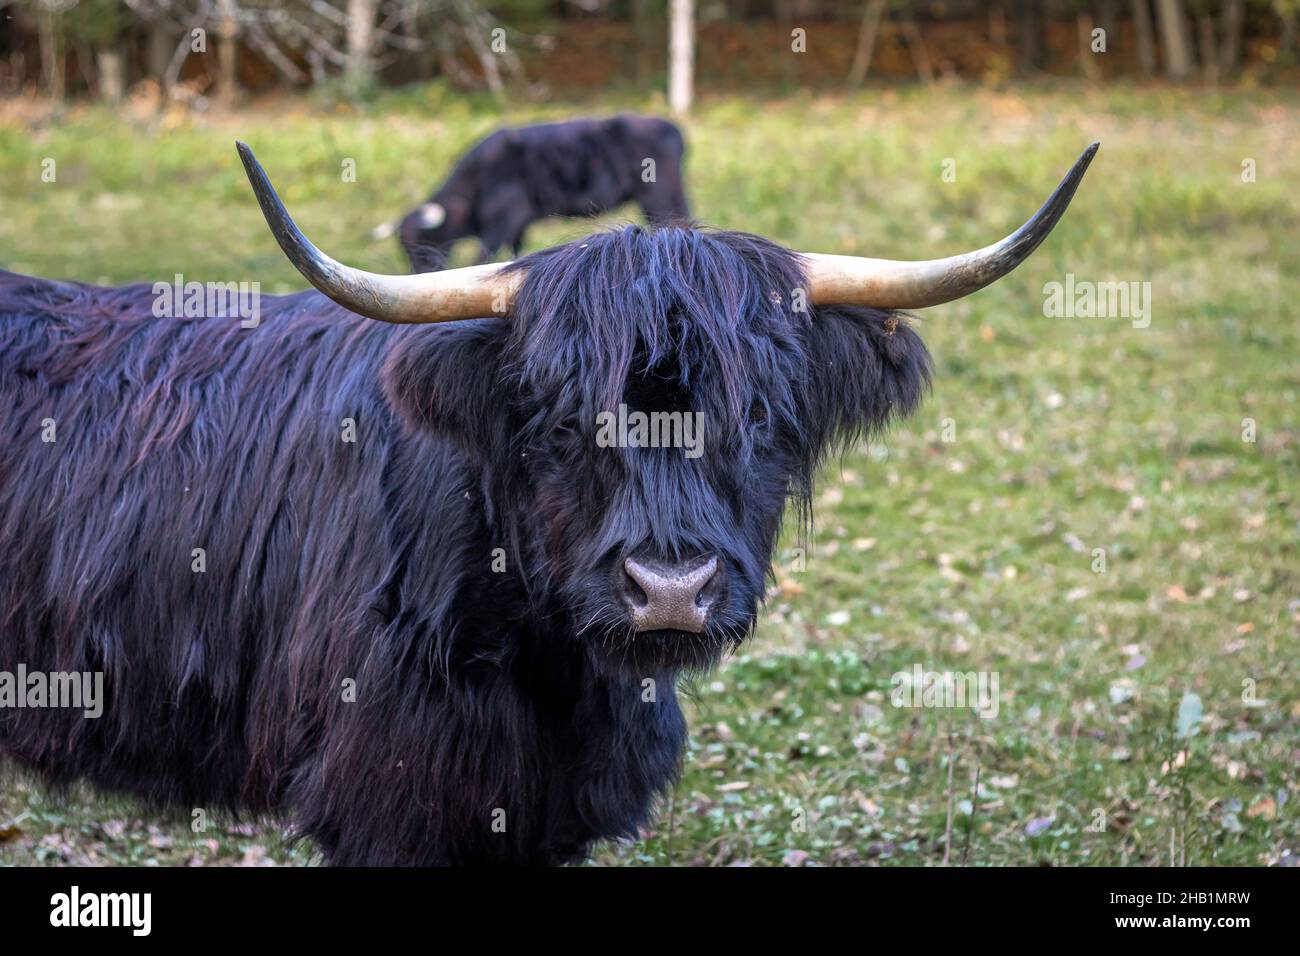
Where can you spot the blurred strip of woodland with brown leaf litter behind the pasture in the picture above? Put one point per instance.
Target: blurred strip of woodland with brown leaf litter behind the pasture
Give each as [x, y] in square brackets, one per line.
[220, 53]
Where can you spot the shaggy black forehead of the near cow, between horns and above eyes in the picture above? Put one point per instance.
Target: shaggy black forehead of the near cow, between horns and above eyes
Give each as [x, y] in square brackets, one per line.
[710, 312]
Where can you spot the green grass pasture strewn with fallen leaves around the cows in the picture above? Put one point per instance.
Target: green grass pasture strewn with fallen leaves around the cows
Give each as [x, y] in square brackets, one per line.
[974, 555]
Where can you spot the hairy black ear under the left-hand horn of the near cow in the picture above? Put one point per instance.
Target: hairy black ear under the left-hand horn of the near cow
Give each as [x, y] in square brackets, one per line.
[448, 380]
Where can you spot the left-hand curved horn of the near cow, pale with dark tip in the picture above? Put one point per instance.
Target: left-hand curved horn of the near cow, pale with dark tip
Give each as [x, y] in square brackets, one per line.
[432, 297]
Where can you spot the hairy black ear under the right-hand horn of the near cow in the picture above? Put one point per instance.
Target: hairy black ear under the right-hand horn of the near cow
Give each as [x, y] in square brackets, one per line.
[866, 370]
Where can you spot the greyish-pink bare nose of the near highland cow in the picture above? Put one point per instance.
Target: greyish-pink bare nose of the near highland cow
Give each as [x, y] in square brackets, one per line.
[670, 596]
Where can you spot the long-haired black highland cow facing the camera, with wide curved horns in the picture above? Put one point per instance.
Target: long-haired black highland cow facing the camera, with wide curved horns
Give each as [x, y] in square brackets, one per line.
[457, 638]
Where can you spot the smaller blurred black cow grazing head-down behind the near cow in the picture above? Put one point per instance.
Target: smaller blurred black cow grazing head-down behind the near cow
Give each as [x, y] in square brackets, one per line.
[518, 176]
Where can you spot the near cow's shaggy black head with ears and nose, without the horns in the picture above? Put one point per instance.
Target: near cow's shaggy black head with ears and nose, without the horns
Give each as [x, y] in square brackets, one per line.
[645, 414]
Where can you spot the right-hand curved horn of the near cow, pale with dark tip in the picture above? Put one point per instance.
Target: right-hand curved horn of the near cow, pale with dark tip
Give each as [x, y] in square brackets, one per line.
[891, 284]
